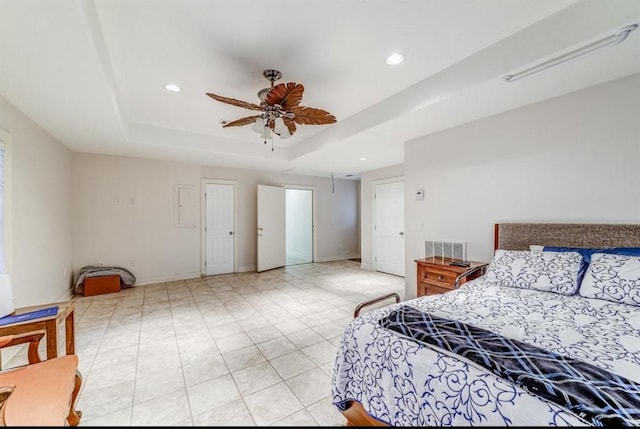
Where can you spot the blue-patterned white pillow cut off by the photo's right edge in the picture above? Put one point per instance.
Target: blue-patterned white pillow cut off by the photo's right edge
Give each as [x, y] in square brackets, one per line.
[613, 277]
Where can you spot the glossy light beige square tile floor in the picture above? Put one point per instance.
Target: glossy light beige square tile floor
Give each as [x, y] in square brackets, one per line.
[247, 349]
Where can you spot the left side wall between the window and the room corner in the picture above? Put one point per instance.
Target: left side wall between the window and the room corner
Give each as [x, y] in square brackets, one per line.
[40, 211]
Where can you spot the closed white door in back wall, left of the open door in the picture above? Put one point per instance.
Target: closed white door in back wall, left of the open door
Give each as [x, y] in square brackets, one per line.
[219, 233]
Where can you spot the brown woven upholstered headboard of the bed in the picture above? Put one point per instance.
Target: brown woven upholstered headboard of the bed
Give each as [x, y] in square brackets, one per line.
[519, 236]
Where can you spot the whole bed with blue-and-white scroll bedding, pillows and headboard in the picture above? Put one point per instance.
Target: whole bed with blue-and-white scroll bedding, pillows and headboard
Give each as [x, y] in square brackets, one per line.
[542, 339]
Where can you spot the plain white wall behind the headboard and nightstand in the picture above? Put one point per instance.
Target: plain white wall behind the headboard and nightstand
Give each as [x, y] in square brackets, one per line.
[574, 158]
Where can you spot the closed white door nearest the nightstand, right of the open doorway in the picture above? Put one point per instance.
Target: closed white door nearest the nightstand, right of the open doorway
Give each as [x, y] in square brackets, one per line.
[389, 228]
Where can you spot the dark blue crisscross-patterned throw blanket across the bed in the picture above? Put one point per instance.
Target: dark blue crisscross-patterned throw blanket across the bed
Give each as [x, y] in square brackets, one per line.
[598, 396]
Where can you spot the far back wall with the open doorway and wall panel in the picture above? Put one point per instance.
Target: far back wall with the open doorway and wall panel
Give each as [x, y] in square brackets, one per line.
[145, 230]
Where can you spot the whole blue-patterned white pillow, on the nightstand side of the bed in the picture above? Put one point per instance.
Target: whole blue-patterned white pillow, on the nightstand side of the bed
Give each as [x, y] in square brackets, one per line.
[547, 271]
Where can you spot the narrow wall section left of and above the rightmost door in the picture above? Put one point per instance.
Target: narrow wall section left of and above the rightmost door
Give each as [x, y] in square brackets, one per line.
[367, 180]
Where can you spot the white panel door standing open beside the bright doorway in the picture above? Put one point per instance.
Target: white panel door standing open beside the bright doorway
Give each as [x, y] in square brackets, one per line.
[271, 227]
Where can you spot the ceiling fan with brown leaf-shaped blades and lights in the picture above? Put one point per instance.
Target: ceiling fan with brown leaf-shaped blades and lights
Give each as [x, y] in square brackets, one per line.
[280, 109]
